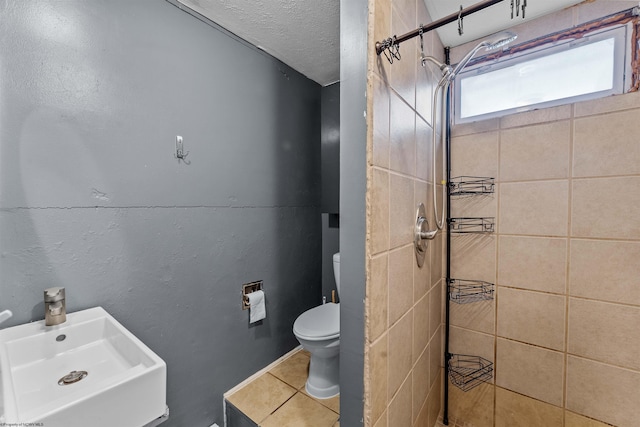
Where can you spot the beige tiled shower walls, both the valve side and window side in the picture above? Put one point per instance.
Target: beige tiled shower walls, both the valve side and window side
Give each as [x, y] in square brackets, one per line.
[561, 328]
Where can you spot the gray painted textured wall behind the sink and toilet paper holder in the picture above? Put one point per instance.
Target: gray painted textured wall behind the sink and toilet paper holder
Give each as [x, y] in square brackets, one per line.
[92, 95]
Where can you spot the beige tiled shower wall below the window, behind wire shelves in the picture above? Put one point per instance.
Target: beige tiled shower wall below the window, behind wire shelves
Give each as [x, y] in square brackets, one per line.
[562, 328]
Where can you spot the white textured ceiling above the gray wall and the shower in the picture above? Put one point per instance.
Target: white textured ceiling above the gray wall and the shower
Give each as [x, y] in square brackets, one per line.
[305, 34]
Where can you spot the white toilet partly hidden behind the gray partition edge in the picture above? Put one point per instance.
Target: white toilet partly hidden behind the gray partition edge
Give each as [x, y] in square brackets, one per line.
[318, 331]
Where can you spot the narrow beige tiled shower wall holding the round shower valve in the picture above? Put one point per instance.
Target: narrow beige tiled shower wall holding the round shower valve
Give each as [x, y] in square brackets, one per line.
[403, 347]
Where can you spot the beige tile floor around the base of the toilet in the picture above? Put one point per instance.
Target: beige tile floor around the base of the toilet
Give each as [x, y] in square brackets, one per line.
[278, 398]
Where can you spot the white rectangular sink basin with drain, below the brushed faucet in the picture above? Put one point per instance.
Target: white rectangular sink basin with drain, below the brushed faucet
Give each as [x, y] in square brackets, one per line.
[42, 378]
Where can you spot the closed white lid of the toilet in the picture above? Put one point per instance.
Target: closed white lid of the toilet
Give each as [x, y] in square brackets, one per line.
[321, 322]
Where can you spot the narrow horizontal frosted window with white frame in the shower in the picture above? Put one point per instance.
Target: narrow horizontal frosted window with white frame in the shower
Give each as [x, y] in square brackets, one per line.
[569, 71]
